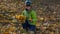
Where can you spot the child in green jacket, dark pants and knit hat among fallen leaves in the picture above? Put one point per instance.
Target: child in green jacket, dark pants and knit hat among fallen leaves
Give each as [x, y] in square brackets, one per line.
[30, 18]
